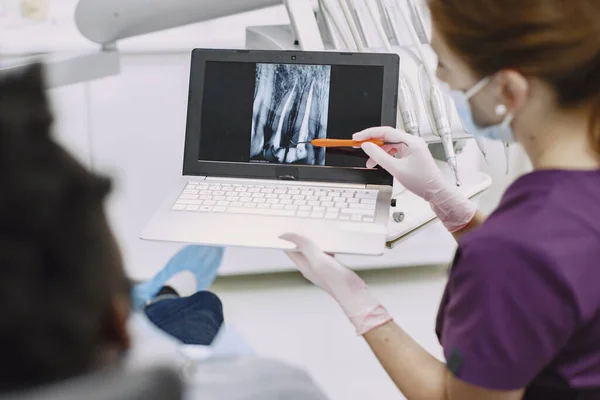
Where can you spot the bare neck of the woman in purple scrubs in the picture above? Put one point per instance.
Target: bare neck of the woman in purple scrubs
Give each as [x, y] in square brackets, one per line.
[561, 141]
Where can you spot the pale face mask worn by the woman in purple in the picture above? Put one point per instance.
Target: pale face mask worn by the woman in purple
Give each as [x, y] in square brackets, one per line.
[502, 131]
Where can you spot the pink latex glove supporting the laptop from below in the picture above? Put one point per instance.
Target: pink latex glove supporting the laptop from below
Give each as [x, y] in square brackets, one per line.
[345, 286]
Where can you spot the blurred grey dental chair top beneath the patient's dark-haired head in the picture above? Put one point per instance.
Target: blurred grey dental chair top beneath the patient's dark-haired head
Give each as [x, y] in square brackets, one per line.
[151, 384]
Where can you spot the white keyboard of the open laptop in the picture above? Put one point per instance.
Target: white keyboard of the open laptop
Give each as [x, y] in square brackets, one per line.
[356, 205]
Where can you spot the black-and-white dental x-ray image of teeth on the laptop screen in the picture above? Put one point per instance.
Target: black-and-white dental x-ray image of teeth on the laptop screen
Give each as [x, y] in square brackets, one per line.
[291, 106]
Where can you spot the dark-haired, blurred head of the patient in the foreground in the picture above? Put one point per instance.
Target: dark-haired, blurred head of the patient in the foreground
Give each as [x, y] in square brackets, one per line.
[63, 292]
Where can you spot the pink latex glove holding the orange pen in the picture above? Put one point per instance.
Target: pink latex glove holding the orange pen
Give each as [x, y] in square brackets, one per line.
[413, 166]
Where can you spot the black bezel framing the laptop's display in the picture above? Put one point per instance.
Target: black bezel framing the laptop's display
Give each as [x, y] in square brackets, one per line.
[192, 166]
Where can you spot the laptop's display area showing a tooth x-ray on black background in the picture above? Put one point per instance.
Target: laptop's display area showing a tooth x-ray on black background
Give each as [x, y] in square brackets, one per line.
[266, 113]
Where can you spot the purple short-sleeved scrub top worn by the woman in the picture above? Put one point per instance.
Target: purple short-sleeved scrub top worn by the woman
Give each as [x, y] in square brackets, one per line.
[522, 305]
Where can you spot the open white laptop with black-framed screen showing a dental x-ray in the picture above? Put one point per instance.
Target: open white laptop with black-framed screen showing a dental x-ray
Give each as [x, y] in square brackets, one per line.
[249, 176]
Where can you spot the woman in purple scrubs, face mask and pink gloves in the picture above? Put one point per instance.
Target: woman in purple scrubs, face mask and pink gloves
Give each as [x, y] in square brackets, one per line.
[520, 317]
